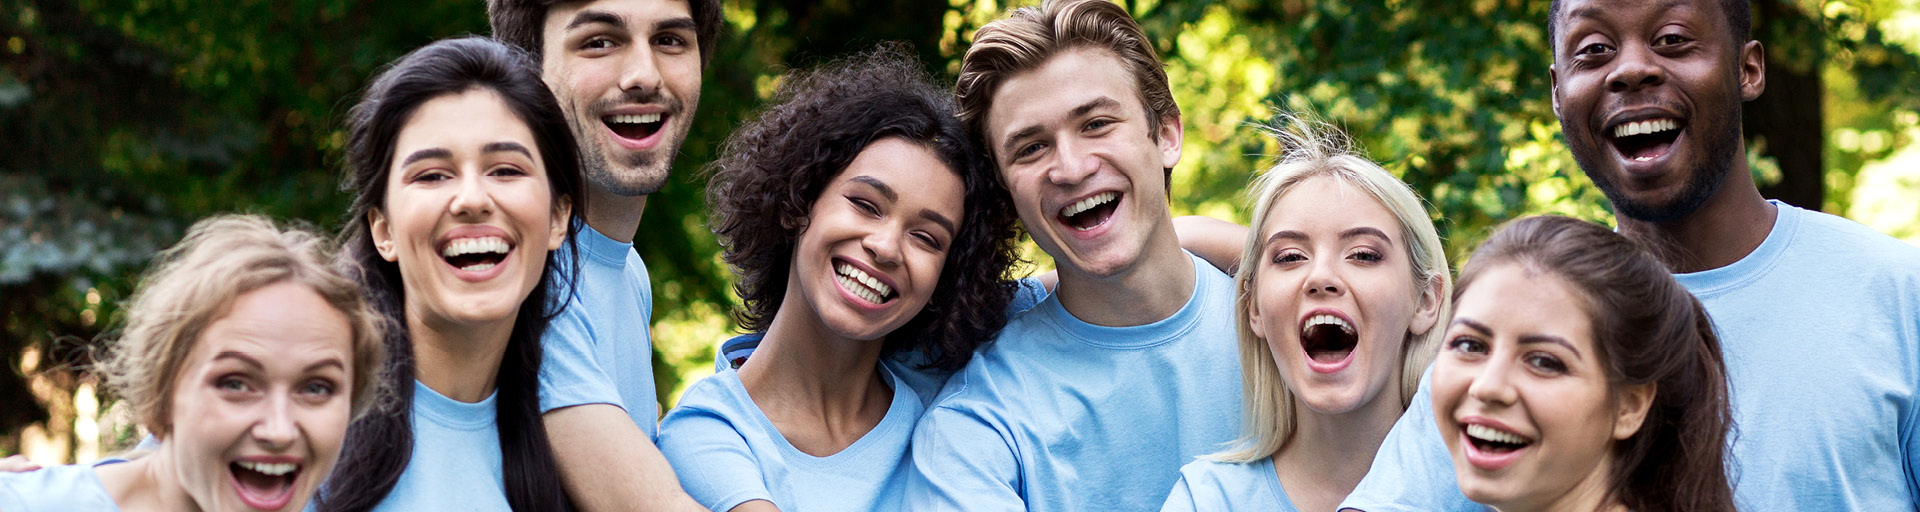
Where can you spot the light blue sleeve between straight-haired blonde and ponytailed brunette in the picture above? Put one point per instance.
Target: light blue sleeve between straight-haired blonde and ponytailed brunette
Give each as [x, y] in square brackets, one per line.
[1412, 473]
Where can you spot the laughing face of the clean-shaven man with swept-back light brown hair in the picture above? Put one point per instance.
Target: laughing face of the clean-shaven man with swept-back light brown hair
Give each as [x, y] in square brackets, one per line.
[1084, 164]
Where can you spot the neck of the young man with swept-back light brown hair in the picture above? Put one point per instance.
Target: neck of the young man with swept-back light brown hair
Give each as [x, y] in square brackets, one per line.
[1157, 287]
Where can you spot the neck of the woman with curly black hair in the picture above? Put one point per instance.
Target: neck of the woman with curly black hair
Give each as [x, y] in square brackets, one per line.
[821, 390]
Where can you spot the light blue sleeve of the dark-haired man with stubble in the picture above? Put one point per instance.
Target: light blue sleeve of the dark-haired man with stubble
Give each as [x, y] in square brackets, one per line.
[569, 375]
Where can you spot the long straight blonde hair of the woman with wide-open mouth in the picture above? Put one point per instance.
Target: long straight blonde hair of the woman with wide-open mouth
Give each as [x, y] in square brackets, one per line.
[1312, 151]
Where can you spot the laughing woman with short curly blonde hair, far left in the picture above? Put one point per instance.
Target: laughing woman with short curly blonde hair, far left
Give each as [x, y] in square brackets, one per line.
[245, 356]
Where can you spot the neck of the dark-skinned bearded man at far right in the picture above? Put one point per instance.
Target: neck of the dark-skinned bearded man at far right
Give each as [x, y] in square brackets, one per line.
[1723, 231]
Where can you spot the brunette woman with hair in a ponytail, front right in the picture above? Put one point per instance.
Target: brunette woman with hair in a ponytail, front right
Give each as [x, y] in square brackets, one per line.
[1577, 375]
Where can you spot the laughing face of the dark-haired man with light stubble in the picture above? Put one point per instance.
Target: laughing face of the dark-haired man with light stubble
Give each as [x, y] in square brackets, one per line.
[629, 78]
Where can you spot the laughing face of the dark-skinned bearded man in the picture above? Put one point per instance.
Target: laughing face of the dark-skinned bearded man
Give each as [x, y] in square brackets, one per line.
[1648, 97]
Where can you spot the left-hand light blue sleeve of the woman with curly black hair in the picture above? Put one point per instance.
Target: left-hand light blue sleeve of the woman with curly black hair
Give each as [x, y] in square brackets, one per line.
[713, 461]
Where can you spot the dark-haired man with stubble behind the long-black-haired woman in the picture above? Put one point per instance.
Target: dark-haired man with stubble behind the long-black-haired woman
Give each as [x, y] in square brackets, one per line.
[629, 78]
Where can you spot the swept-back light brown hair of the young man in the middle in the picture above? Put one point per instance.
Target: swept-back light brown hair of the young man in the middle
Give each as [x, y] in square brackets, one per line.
[1028, 37]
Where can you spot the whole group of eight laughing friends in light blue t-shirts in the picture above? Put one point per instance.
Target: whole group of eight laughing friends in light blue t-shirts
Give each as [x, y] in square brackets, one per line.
[479, 338]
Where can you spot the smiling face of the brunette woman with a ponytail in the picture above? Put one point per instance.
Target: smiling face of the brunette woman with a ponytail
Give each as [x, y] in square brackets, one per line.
[1522, 396]
